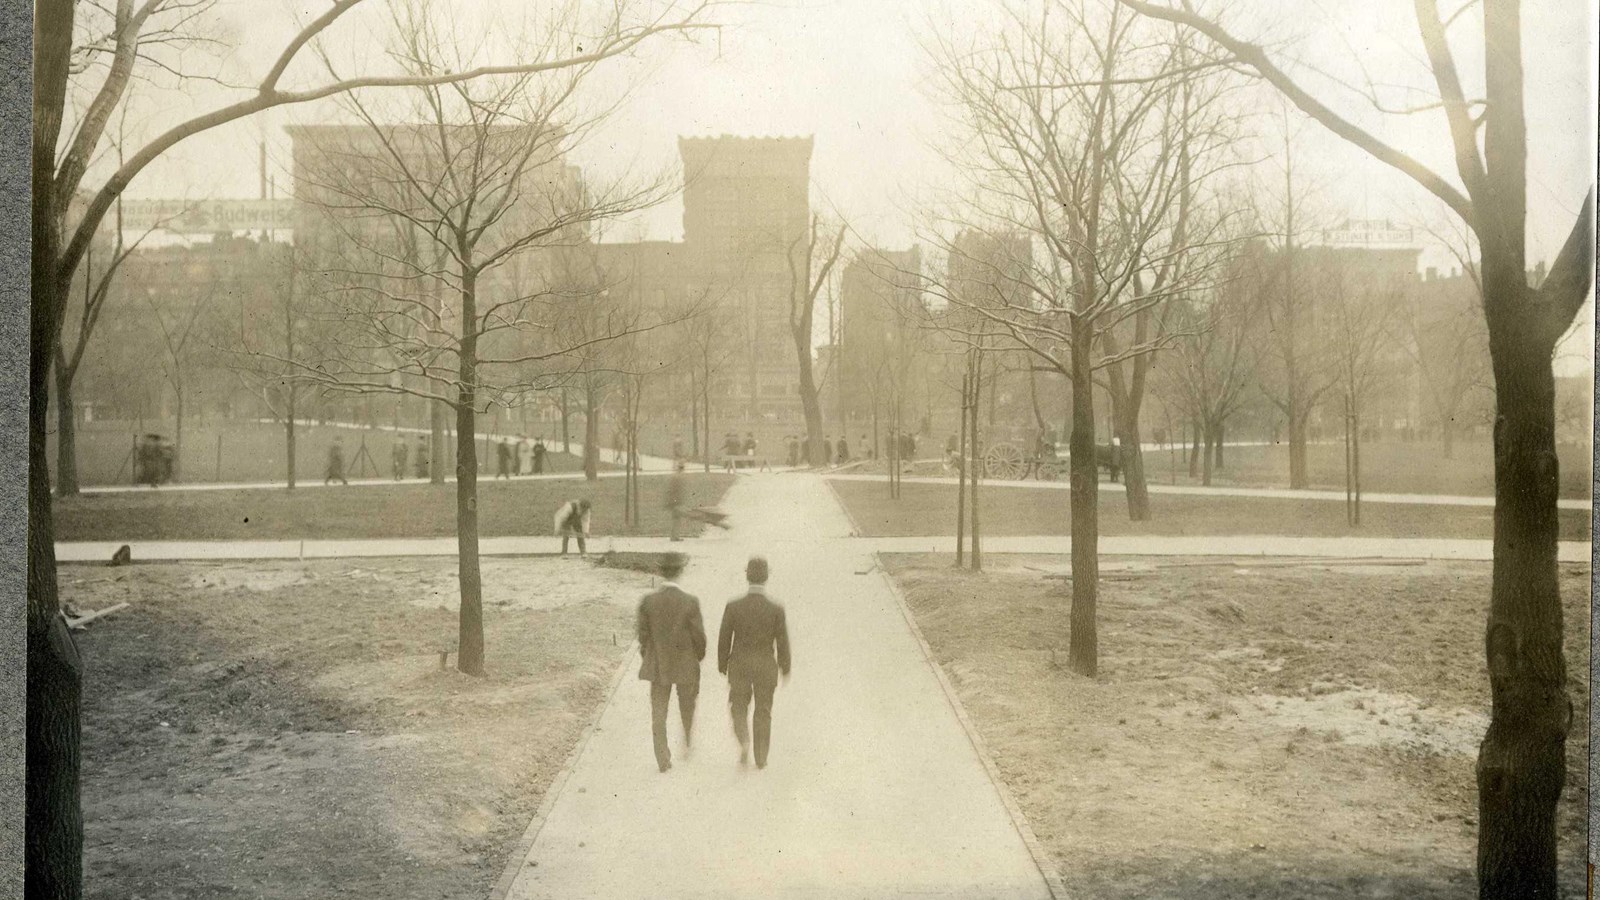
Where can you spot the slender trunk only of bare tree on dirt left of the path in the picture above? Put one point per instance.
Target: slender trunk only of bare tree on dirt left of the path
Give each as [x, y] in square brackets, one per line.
[470, 646]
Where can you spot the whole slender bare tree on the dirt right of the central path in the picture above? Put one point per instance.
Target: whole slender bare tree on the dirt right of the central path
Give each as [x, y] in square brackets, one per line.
[1071, 124]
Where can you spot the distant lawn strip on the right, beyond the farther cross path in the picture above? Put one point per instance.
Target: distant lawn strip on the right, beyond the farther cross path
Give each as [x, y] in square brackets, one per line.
[1386, 468]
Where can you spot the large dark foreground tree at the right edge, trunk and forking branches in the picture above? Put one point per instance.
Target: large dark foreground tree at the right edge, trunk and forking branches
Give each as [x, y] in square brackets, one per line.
[1522, 763]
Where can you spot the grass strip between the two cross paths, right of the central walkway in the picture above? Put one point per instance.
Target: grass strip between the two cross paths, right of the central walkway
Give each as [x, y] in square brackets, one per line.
[1010, 508]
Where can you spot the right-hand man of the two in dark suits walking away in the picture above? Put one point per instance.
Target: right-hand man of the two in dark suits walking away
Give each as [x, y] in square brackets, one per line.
[753, 651]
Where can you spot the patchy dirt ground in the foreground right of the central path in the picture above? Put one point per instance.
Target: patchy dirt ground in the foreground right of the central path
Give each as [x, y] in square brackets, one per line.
[1254, 733]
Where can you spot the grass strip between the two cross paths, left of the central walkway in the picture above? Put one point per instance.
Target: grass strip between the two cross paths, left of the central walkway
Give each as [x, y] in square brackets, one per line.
[409, 510]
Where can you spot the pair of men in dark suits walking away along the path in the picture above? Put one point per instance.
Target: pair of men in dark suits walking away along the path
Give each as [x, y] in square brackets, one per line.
[753, 653]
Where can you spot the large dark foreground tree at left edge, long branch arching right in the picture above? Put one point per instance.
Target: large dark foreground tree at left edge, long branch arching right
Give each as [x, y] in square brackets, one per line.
[63, 150]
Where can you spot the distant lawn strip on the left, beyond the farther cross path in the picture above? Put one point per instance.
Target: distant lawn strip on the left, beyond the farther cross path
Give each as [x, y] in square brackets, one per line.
[255, 452]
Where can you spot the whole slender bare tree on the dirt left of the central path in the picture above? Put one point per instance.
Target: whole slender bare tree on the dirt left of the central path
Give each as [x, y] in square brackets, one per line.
[481, 180]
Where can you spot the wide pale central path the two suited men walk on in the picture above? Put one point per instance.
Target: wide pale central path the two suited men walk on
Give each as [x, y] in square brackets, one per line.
[873, 790]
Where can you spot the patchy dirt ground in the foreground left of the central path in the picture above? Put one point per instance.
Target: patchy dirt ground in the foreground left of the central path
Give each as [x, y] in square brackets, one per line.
[284, 731]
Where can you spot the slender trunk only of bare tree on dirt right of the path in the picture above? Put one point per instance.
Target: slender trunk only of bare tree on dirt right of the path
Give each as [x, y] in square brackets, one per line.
[1084, 653]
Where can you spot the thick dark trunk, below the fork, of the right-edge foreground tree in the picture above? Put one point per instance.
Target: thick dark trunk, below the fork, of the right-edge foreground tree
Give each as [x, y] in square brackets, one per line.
[1522, 761]
